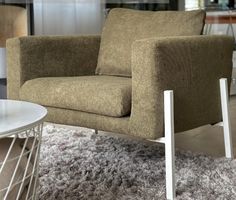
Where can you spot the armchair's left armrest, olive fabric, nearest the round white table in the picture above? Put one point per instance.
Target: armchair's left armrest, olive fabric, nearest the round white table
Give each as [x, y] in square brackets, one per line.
[47, 56]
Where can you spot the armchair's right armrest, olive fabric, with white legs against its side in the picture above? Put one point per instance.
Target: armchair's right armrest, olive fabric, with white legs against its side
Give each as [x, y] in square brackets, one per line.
[191, 67]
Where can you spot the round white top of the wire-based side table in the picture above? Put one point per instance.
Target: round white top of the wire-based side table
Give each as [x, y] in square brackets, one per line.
[19, 115]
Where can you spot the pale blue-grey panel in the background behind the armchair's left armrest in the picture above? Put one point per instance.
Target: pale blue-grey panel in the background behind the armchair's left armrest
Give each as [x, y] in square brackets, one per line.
[67, 17]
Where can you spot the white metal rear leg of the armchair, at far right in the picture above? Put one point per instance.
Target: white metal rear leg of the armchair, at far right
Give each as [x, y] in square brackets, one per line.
[226, 119]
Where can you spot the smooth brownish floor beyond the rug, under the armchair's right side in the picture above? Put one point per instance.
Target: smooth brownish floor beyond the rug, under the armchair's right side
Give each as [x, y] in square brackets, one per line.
[208, 139]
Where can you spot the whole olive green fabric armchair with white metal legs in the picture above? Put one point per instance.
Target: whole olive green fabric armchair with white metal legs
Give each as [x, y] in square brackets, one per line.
[124, 80]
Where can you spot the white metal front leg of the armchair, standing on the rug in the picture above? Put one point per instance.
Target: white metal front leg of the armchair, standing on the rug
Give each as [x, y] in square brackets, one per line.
[169, 144]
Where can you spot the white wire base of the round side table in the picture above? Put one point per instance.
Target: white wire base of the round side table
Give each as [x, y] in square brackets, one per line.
[19, 163]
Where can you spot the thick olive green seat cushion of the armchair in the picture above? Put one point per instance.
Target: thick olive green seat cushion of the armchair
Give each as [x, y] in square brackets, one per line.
[103, 95]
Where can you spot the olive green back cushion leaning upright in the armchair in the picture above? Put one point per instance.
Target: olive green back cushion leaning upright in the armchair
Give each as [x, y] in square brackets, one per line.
[124, 26]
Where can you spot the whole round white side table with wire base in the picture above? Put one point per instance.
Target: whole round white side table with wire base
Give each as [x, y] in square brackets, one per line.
[21, 123]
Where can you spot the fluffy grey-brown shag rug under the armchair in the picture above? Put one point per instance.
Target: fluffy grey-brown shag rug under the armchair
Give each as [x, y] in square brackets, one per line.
[80, 165]
